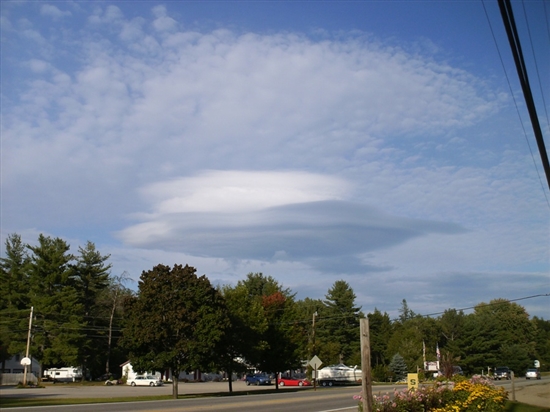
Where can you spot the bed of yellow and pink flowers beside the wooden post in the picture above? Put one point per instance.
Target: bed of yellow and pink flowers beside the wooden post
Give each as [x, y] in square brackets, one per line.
[459, 395]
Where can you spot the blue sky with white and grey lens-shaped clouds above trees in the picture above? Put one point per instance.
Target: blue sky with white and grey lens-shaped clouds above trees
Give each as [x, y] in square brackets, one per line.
[384, 143]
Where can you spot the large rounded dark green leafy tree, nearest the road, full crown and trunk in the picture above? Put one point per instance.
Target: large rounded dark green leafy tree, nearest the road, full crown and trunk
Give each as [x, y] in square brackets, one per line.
[175, 322]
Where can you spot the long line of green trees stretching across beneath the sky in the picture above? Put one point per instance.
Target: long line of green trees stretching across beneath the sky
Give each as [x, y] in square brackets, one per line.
[83, 315]
